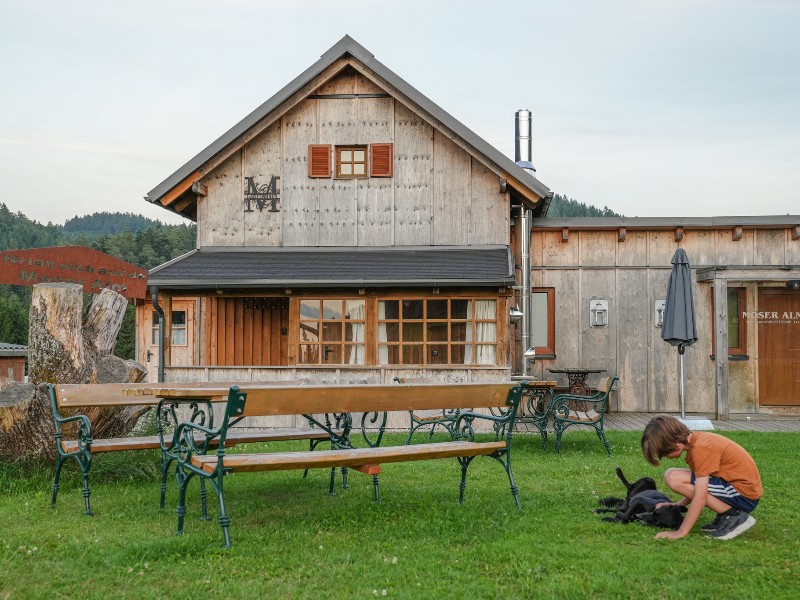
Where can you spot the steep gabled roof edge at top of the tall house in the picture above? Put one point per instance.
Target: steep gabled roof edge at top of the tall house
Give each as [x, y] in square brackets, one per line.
[523, 185]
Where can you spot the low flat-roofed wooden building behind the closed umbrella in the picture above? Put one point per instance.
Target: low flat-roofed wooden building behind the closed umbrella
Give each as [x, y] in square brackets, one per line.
[746, 296]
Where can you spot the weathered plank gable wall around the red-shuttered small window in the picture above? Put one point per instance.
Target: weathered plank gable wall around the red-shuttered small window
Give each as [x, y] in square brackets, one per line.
[438, 195]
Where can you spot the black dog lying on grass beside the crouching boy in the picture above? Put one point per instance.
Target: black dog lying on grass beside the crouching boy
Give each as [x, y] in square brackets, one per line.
[640, 505]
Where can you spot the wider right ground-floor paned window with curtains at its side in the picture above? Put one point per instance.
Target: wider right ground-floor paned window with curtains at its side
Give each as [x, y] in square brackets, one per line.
[437, 332]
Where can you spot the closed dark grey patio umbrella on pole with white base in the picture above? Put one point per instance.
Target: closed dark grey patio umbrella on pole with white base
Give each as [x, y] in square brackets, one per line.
[678, 327]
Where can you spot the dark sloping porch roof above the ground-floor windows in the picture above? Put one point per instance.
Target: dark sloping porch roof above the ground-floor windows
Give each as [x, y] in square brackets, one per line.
[410, 266]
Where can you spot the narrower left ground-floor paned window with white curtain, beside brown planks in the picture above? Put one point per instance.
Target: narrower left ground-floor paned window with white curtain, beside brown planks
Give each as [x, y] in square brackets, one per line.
[332, 332]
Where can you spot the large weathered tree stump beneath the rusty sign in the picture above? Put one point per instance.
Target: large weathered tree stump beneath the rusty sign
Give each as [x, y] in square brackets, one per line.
[67, 345]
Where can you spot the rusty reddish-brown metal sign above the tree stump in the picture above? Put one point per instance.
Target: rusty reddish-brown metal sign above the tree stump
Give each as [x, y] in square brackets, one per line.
[92, 269]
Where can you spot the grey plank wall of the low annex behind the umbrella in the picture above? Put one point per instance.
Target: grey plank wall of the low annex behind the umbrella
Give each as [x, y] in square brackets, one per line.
[632, 275]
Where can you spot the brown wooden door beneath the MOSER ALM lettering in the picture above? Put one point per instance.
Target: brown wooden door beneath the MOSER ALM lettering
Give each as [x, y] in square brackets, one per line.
[778, 347]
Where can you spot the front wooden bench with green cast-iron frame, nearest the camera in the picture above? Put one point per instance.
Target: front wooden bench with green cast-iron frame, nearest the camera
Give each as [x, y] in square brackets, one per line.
[346, 400]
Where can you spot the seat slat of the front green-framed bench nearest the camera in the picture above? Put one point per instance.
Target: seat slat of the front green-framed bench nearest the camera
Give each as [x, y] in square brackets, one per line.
[282, 461]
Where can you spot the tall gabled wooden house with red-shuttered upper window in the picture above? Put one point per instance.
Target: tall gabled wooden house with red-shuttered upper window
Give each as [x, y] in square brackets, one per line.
[348, 230]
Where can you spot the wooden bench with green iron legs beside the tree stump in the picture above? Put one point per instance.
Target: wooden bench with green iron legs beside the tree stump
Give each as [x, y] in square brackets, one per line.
[81, 449]
